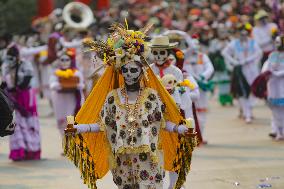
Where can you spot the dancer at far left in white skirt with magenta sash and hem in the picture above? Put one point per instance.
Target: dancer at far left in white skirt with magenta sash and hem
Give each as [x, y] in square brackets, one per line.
[25, 142]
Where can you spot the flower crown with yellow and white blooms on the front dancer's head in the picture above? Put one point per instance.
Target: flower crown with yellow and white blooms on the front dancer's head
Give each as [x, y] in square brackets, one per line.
[122, 46]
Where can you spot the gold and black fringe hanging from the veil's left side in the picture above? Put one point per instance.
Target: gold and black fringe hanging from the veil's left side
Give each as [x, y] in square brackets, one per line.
[76, 150]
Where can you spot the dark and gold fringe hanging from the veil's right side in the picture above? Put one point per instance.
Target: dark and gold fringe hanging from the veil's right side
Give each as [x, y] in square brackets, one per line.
[183, 159]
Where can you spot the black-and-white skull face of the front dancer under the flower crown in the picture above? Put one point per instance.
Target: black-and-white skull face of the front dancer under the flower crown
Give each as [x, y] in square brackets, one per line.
[131, 73]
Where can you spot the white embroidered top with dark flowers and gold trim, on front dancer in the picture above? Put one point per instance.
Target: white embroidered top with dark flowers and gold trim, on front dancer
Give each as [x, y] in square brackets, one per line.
[144, 136]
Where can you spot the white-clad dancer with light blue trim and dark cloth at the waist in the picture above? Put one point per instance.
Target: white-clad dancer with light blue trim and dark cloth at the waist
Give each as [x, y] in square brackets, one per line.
[244, 54]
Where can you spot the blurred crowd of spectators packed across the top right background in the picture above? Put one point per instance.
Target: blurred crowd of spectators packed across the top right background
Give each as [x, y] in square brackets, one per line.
[196, 17]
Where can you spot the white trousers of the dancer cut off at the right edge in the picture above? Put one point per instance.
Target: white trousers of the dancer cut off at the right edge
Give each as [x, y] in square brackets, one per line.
[278, 120]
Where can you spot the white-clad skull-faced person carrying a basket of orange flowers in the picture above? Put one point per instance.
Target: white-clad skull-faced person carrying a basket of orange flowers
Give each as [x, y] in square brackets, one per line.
[67, 85]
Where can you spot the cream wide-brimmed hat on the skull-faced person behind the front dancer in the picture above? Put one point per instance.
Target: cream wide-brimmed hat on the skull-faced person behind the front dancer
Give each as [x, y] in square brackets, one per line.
[162, 42]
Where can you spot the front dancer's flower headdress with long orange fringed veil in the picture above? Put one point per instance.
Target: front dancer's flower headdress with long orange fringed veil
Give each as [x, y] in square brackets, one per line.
[91, 151]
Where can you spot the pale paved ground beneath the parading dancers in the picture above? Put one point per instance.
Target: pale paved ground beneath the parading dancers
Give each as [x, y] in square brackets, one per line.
[238, 156]
